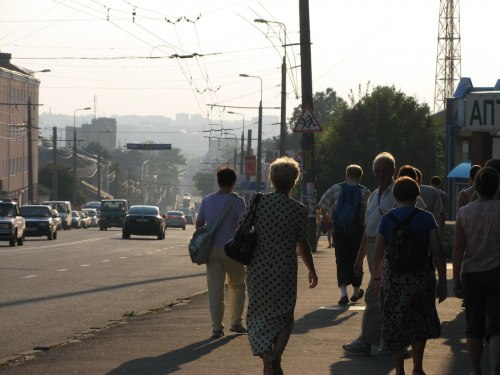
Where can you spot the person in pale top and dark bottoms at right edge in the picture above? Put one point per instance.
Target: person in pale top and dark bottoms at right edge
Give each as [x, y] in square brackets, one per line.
[476, 269]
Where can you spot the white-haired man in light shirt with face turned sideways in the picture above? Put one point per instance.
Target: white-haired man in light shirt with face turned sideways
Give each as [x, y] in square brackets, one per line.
[379, 202]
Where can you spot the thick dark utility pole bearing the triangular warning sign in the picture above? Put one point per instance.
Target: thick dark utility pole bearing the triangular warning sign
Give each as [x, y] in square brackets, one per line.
[309, 188]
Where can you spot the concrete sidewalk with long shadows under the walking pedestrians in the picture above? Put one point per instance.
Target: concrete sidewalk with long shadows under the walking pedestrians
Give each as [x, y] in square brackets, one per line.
[177, 340]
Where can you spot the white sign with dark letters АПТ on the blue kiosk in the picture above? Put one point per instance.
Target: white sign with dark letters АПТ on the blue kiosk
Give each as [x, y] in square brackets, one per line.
[482, 112]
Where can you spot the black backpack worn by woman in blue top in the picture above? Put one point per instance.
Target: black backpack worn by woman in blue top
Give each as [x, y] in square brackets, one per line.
[404, 252]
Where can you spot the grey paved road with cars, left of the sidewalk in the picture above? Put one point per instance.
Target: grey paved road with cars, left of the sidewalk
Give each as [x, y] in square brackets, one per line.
[53, 289]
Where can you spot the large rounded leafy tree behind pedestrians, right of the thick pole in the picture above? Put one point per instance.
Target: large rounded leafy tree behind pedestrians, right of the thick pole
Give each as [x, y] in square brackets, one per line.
[383, 120]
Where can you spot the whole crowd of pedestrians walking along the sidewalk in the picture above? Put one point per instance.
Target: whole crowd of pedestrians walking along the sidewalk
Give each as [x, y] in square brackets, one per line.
[397, 228]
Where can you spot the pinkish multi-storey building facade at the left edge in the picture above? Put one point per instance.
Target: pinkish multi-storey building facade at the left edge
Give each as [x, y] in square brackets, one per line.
[18, 88]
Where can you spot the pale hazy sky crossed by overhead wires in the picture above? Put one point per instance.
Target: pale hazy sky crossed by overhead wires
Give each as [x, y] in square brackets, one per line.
[120, 51]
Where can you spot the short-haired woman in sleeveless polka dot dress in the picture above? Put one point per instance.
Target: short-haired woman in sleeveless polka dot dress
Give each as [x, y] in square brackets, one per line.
[281, 224]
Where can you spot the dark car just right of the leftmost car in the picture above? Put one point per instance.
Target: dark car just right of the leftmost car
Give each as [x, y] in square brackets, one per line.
[39, 221]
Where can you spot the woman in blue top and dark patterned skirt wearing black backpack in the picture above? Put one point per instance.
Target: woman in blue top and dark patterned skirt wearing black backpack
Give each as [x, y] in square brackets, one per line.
[406, 291]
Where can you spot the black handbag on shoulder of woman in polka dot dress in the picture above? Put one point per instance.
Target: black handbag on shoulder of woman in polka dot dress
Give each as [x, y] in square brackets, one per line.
[241, 247]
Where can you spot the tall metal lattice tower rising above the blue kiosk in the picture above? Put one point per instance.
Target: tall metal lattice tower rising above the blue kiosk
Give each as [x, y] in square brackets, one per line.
[449, 60]
